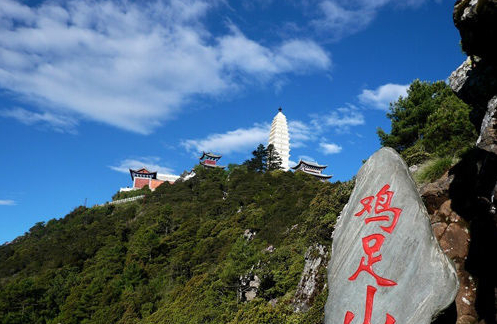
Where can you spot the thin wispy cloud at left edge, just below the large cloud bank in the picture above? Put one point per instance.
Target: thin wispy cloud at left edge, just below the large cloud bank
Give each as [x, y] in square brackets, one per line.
[59, 123]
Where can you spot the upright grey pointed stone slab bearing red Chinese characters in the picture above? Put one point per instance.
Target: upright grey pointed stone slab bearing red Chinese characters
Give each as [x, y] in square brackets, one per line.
[386, 265]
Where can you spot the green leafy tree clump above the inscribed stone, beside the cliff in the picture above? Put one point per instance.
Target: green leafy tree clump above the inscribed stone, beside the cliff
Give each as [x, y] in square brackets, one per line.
[429, 122]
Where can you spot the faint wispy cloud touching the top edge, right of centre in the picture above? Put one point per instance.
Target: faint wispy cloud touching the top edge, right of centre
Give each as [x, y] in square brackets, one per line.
[339, 18]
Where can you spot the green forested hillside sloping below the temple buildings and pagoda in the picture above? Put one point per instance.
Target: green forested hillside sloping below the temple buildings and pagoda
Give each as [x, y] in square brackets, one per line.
[175, 256]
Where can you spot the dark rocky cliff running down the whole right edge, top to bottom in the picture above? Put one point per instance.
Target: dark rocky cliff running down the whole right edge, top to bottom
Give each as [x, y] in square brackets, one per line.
[472, 196]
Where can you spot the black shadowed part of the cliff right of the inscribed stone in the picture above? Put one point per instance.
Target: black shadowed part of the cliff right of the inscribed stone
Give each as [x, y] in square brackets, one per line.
[471, 191]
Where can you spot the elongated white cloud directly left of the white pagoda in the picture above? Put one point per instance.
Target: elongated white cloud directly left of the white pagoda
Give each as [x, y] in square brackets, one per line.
[239, 140]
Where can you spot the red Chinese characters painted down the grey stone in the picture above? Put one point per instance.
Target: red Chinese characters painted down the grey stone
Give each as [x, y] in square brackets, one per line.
[371, 244]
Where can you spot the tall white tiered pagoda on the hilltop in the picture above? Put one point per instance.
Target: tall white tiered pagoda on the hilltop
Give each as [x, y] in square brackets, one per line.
[280, 139]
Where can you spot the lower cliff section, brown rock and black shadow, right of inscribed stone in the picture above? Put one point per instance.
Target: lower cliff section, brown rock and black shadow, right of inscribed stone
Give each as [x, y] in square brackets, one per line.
[463, 219]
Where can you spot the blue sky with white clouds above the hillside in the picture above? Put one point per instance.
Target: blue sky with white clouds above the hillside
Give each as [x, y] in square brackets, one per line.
[91, 88]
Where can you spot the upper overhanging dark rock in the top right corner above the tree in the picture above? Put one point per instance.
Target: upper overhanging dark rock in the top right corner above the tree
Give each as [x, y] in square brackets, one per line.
[475, 81]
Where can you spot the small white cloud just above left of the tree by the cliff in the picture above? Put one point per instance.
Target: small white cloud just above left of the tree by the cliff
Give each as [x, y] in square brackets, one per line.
[381, 97]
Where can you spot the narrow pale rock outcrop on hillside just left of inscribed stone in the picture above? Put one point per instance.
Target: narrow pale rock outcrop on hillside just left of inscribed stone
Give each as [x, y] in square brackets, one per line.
[311, 281]
